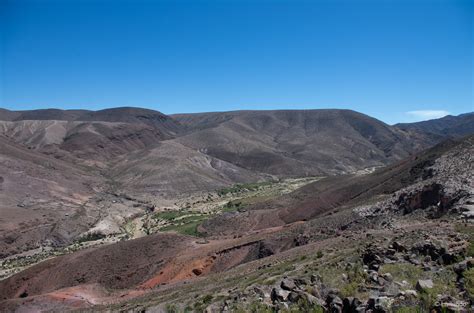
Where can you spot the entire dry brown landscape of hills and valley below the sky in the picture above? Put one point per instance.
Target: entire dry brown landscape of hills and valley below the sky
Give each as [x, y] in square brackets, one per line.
[130, 209]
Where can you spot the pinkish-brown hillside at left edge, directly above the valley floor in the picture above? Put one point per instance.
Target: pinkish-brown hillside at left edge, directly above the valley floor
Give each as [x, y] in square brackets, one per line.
[42, 200]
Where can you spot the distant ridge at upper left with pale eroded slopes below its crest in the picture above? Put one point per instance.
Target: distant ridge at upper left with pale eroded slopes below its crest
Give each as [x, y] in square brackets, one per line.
[90, 137]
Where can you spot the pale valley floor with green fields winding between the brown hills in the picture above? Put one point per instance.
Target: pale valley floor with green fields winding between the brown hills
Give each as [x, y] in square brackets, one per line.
[184, 218]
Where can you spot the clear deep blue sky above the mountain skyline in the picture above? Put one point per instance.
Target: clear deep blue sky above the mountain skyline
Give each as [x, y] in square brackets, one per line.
[382, 58]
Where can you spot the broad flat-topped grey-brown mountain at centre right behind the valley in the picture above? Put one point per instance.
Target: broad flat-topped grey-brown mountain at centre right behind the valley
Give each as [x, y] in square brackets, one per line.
[297, 143]
